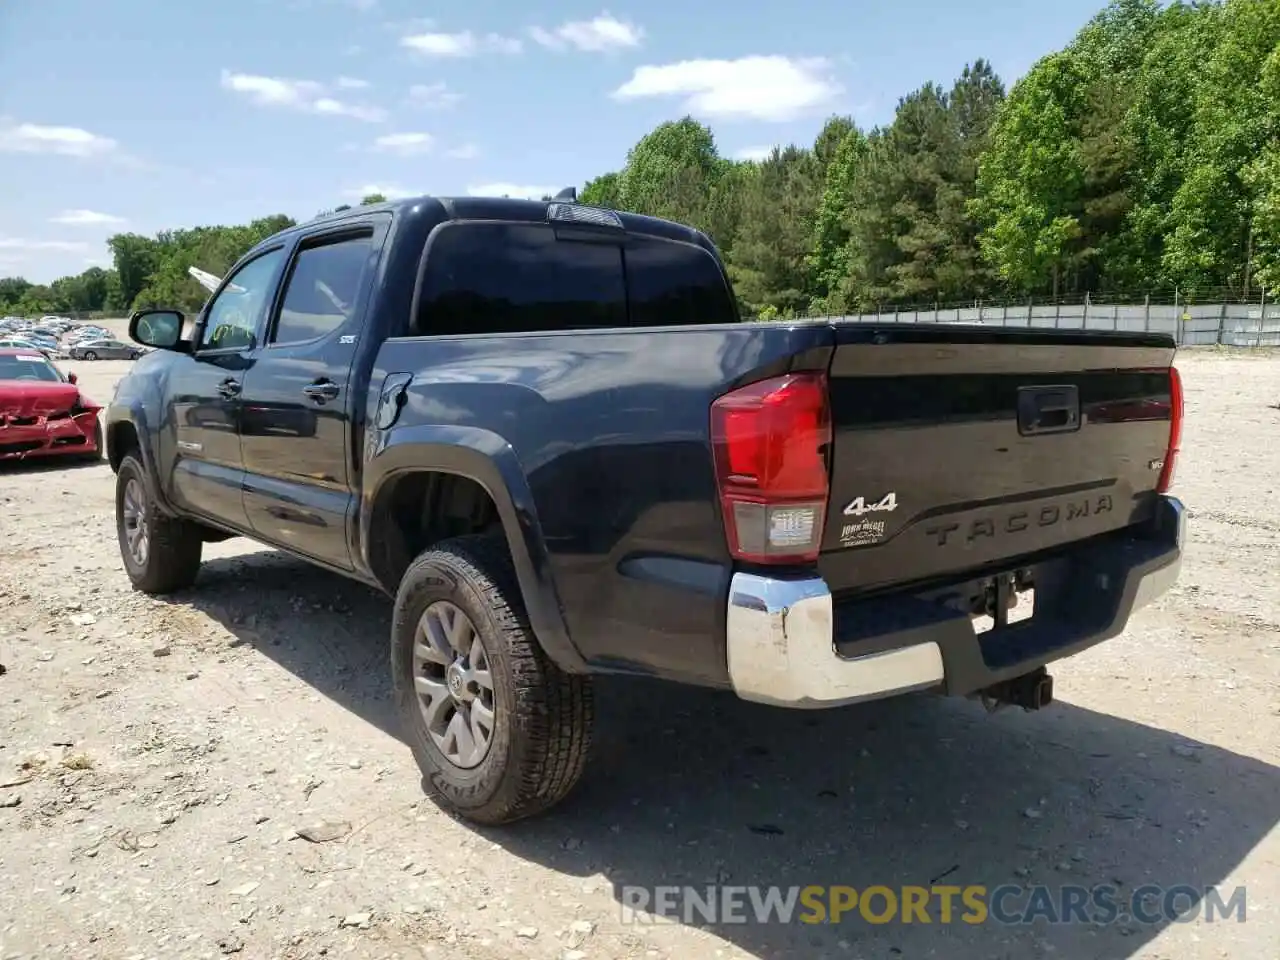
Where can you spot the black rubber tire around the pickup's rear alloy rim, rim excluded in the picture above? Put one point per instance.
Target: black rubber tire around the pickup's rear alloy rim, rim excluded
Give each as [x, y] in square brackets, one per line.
[543, 719]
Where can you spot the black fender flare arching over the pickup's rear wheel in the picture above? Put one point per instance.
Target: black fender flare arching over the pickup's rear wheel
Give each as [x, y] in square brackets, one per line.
[487, 459]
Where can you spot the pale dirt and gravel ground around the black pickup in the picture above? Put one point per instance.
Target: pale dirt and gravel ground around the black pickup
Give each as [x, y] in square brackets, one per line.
[158, 757]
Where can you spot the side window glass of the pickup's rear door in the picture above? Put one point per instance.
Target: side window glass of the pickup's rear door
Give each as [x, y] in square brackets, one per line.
[322, 291]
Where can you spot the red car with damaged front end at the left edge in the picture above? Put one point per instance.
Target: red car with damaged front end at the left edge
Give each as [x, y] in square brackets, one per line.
[43, 413]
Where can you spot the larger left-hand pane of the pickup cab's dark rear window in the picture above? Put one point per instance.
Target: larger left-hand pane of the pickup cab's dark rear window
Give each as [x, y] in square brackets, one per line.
[518, 278]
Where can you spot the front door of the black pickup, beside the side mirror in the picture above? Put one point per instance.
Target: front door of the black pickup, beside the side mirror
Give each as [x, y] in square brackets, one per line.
[205, 400]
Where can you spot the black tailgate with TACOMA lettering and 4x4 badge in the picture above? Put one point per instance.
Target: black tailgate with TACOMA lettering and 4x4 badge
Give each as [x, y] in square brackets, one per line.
[961, 449]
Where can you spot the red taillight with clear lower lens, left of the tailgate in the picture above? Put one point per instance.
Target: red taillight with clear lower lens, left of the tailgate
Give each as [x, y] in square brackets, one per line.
[770, 442]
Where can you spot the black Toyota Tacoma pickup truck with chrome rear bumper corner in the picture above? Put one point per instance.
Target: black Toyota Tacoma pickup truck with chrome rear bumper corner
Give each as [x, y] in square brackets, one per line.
[545, 431]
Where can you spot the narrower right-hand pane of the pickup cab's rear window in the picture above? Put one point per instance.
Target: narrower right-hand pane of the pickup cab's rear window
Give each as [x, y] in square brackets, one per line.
[673, 285]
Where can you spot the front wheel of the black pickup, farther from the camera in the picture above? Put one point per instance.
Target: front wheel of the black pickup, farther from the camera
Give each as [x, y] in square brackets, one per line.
[161, 554]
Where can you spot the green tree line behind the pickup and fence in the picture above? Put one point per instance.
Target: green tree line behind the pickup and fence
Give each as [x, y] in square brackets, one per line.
[1142, 157]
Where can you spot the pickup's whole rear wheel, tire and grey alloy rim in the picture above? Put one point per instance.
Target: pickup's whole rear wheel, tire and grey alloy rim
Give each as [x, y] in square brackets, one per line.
[500, 733]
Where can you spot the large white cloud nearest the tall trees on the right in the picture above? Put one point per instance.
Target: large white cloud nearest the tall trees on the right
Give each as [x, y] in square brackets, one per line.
[751, 88]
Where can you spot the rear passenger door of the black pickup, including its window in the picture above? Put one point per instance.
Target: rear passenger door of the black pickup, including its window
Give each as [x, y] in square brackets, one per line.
[296, 415]
